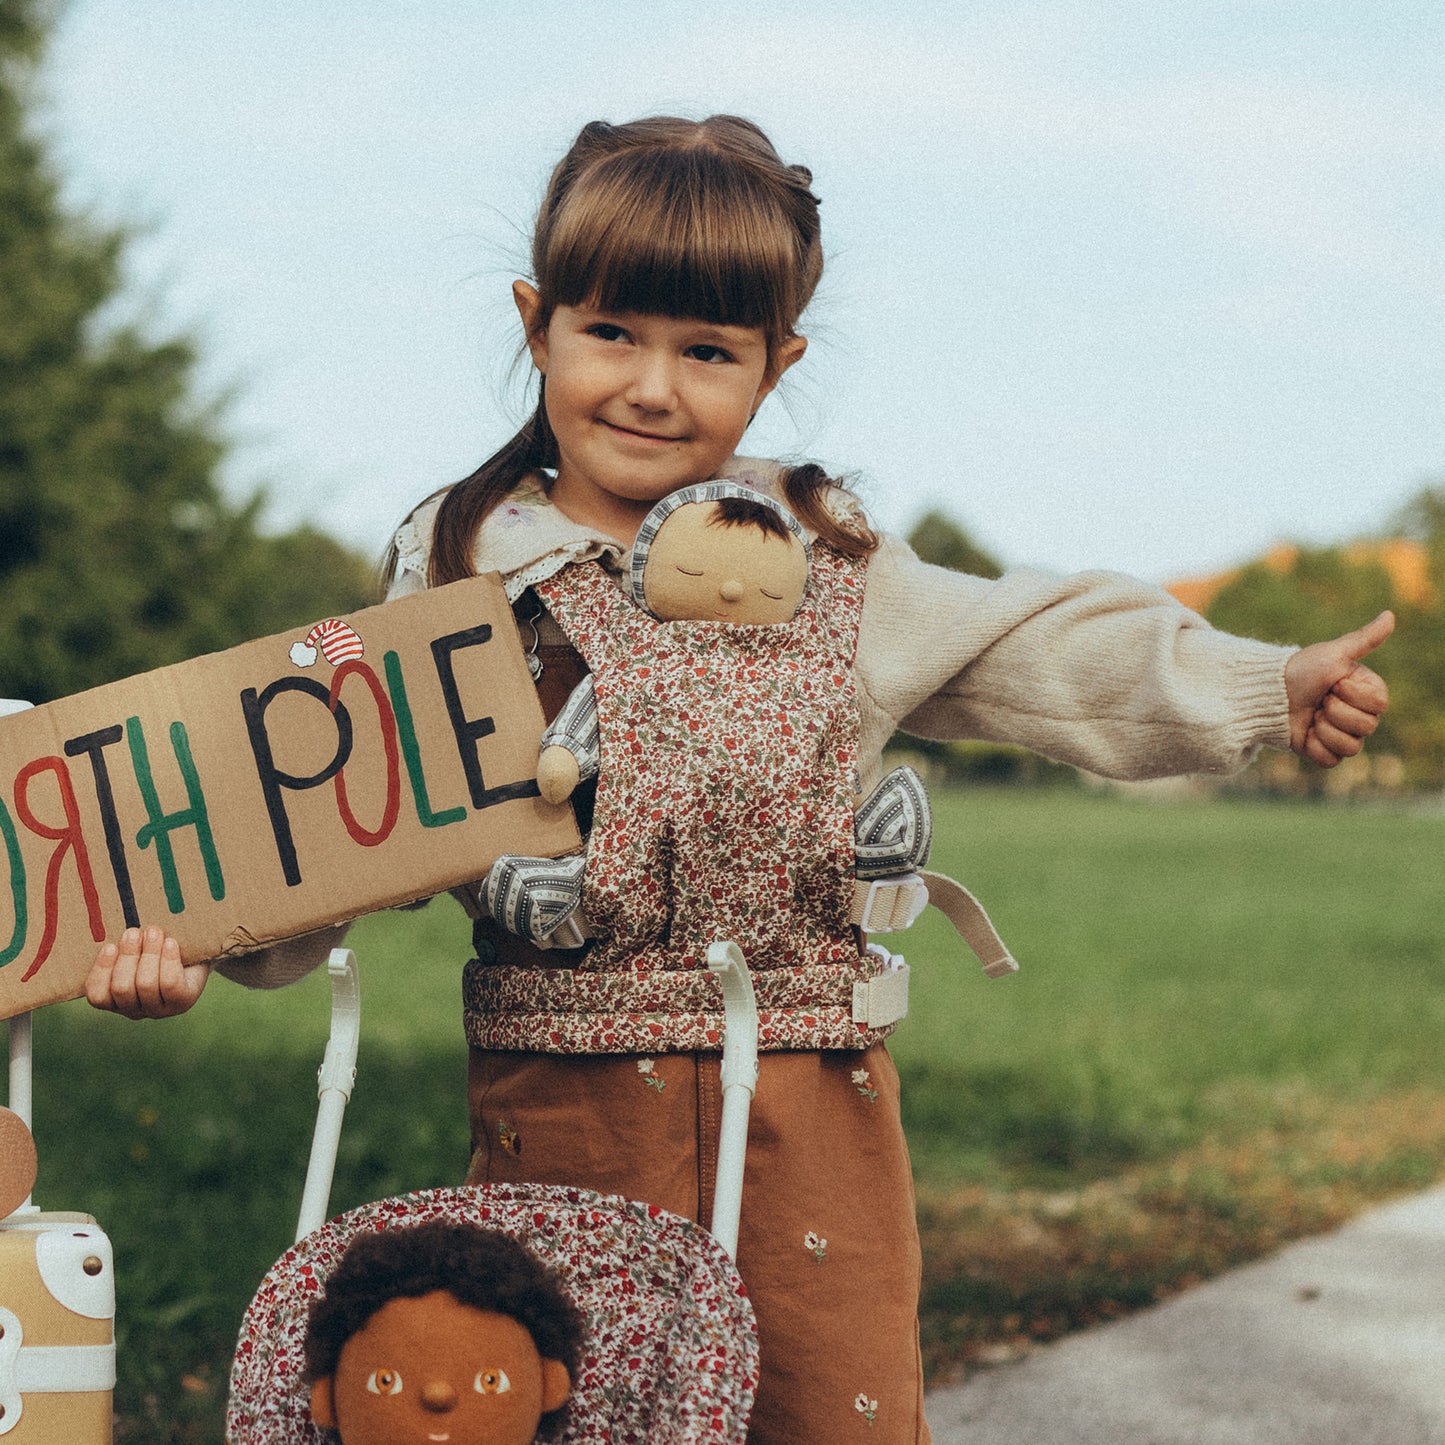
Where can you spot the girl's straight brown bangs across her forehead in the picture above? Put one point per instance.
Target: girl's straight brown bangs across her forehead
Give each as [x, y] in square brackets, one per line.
[681, 233]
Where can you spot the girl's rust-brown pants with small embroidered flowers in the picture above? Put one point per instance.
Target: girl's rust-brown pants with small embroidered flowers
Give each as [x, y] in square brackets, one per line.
[829, 1242]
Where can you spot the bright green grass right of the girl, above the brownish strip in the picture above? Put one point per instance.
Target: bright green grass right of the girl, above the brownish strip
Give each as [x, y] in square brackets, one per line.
[1173, 956]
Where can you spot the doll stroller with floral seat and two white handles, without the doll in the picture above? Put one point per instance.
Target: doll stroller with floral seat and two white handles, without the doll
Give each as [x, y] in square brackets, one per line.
[671, 1355]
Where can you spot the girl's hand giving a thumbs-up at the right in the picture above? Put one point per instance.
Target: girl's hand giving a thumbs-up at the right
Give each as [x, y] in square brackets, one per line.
[1336, 703]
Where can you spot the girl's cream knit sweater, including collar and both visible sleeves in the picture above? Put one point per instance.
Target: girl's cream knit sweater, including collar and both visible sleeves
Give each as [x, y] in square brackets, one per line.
[1095, 670]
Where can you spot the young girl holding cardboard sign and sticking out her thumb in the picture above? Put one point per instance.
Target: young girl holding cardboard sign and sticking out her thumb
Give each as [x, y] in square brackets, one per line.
[673, 262]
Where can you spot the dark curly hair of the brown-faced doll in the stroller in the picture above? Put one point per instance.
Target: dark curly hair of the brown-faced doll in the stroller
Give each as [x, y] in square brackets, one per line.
[480, 1268]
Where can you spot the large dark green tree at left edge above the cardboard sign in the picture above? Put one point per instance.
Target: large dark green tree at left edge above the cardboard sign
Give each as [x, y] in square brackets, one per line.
[118, 550]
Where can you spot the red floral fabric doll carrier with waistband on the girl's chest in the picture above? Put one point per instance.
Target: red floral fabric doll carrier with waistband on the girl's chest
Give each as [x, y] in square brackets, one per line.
[725, 811]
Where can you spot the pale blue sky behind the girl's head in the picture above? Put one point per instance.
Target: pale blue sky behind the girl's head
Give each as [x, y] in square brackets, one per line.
[1132, 285]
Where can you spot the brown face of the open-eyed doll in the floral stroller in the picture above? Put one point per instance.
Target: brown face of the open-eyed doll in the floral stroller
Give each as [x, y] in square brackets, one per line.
[436, 1372]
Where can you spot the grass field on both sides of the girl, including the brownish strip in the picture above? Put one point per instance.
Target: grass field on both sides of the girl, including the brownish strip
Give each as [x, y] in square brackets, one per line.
[1228, 1031]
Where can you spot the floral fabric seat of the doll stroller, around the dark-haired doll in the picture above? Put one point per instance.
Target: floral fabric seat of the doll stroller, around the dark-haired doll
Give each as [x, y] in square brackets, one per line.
[671, 1355]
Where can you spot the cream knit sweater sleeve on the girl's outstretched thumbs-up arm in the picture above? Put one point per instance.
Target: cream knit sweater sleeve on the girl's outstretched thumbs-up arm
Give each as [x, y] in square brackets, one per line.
[1095, 670]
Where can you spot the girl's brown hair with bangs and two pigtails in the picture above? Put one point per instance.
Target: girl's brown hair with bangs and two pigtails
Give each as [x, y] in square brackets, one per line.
[668, 217]
